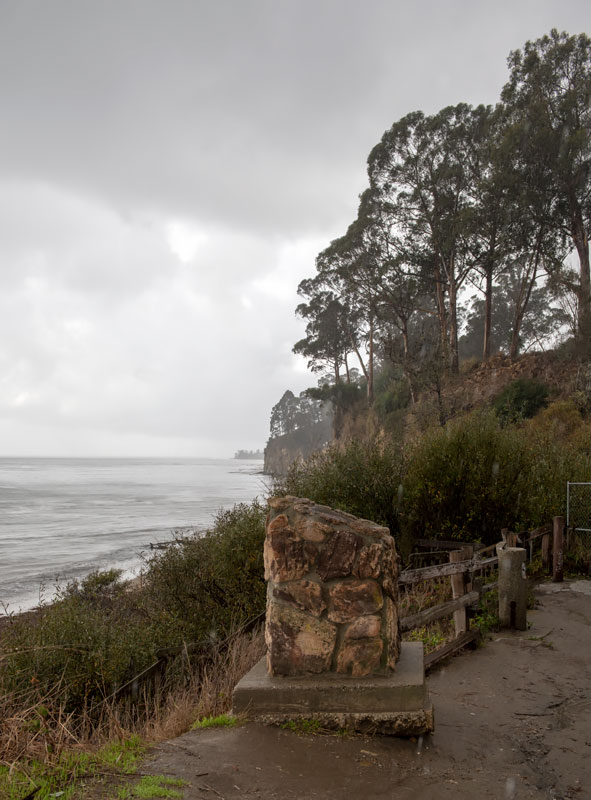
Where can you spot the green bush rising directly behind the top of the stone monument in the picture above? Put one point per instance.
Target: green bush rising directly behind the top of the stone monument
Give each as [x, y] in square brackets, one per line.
[360, 478]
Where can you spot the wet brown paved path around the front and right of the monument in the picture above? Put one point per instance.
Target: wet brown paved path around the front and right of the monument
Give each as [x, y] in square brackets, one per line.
[512, 720]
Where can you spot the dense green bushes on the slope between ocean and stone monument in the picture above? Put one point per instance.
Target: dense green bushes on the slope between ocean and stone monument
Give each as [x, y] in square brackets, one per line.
[100, 633]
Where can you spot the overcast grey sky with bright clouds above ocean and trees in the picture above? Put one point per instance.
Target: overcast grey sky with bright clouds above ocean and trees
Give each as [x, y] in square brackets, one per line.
[168, 172]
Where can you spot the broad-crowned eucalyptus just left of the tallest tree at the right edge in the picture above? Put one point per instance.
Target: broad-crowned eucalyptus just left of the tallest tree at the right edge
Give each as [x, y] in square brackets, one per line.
[424, 167]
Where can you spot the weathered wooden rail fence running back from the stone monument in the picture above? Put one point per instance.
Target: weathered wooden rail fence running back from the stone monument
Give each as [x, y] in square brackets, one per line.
[467, 565]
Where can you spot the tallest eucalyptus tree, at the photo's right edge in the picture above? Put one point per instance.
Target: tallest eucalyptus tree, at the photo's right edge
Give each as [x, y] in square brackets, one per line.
[548, 106]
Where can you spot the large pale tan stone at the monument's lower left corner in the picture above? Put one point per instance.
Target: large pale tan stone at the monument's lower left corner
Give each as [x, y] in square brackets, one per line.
[297, 643]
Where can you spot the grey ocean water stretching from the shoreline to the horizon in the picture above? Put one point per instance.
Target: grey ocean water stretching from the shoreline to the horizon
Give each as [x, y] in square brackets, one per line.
[63, 518]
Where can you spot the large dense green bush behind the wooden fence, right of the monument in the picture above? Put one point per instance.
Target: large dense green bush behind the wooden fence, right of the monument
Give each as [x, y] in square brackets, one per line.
[473, 477]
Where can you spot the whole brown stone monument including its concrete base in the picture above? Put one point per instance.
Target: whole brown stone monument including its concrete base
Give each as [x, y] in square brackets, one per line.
[333, 642]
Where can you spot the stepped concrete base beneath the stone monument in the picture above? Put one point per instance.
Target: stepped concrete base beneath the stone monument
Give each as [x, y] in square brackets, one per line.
[395, 704]
